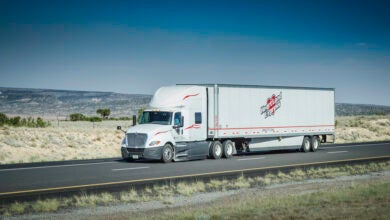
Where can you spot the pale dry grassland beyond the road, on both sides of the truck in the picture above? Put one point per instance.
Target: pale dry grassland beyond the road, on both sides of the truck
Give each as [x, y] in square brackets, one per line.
[87, 140]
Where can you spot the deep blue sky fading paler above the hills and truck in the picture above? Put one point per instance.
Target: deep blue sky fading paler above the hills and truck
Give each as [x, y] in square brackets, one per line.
[138, 46]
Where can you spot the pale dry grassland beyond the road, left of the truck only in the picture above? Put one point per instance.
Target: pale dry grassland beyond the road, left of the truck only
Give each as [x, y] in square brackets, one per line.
[69, 141]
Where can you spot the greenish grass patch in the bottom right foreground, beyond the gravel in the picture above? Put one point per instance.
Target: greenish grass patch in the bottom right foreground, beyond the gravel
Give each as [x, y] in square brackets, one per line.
[354, 201]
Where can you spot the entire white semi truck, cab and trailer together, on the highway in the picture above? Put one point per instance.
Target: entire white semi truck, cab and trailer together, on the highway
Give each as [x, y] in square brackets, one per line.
[199, 121]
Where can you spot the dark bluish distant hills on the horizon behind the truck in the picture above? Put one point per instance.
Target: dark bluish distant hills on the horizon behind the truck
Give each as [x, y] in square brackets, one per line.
[50, 103]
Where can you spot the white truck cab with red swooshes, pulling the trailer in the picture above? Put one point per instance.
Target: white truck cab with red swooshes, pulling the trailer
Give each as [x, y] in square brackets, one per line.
[173, 127]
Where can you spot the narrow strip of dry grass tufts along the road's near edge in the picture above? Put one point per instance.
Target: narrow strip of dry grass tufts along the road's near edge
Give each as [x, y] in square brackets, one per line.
[165, 193]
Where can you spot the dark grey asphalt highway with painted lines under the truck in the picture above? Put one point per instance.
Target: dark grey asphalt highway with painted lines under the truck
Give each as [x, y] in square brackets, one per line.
[18, 180]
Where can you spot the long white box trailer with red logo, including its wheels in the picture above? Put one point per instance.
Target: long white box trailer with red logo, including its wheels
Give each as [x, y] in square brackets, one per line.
[257, 118]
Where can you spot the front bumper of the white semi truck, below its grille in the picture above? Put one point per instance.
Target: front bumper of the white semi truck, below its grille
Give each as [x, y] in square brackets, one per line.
[147, 153]
